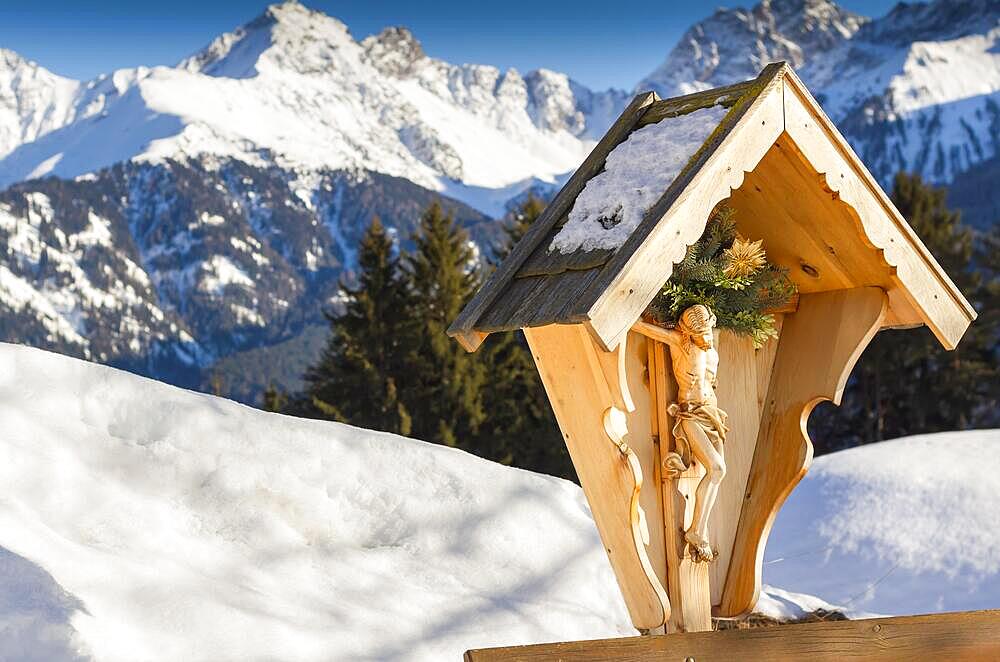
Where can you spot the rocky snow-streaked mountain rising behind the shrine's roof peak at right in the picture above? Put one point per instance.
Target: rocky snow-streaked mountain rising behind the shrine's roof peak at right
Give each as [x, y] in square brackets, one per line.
[917, 90]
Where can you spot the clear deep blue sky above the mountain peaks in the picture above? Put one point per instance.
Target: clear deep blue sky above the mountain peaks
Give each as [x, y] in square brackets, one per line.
[598, 43]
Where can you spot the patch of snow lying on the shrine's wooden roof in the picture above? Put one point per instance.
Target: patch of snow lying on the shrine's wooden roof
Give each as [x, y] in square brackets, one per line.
[636, 174]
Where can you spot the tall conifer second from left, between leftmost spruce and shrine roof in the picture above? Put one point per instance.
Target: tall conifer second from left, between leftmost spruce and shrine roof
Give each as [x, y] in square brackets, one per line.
[444, 389]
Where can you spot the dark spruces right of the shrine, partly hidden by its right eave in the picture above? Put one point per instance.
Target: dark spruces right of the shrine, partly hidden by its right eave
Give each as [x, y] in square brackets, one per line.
[905, 382]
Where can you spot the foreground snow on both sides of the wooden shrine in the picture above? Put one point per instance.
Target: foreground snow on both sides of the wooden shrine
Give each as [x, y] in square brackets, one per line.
[139, 521]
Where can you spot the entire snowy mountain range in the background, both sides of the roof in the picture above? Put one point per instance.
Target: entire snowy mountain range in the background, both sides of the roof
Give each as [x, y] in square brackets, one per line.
[172, 219]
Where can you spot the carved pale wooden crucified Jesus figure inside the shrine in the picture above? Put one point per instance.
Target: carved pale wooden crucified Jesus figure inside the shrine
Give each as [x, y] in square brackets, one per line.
[700, 426]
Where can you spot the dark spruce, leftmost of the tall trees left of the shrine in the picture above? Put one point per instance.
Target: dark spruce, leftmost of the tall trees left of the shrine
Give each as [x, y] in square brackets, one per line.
[357, 377]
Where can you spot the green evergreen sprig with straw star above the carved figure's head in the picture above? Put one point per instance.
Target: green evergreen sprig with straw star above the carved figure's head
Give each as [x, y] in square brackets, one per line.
[711, 274]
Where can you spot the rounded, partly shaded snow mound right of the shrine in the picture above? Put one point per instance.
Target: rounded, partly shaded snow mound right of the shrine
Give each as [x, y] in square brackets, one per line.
[909, 526]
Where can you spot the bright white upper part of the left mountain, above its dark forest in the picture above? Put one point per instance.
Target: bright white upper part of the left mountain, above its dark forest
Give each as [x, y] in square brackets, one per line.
[295, 89]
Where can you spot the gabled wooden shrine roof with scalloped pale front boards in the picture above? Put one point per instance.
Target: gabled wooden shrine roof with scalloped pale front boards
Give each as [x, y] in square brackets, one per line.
[607, 289]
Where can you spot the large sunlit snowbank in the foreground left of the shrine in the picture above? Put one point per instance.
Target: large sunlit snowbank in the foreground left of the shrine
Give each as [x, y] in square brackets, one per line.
[142, 522]
